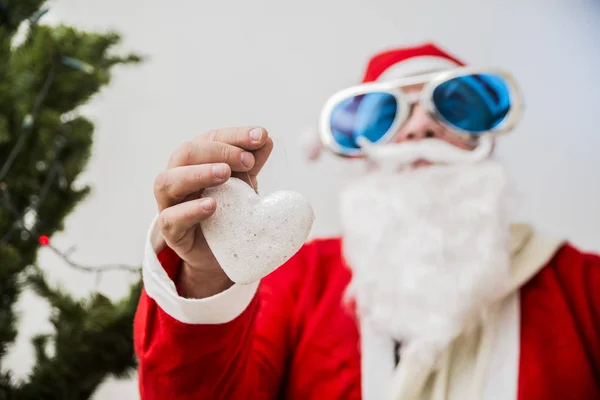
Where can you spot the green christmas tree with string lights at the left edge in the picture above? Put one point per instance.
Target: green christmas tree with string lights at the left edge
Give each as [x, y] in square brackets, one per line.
[46, 74]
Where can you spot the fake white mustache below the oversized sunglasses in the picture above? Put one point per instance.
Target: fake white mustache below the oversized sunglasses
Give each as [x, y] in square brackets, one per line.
[397, 155]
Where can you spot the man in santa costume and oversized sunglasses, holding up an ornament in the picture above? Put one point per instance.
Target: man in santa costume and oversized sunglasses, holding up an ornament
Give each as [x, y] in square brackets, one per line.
[431, 292]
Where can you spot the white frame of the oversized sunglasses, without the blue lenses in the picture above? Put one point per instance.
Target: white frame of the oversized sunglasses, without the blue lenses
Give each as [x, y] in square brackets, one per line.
[425, 99]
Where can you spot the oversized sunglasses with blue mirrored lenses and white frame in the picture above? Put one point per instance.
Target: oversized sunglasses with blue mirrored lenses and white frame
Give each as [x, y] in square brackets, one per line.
[468, 102]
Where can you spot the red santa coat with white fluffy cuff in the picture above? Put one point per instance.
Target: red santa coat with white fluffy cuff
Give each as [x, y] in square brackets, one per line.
[291, 337]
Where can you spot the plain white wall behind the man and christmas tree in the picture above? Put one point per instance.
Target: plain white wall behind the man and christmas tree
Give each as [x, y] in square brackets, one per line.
[273, 63]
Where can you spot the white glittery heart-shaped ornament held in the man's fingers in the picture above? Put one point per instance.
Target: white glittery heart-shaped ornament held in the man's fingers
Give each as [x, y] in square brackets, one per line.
[252, 236]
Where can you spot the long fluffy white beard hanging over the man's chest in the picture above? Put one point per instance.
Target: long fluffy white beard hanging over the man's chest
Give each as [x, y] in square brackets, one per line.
[428, 248]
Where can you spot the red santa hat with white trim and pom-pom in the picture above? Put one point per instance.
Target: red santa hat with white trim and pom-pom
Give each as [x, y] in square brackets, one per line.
[390, 64]
